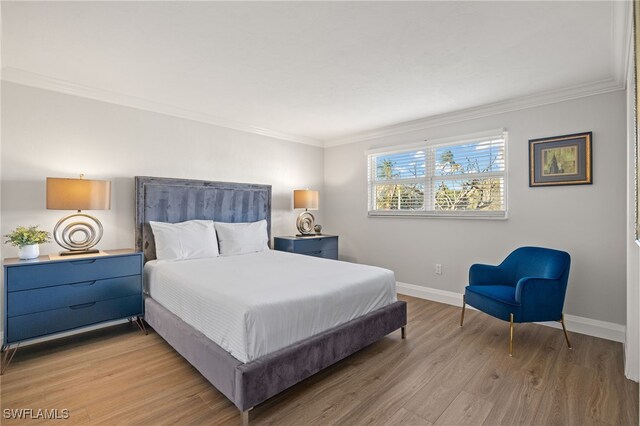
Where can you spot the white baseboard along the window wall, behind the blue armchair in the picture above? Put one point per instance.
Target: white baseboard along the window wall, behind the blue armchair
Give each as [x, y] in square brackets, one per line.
[575, 324]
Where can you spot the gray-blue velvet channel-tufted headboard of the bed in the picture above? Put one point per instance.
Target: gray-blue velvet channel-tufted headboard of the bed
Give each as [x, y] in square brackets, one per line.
[176, 200]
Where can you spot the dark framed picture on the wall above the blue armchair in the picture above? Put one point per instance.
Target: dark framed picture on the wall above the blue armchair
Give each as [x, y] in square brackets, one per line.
[561, 160]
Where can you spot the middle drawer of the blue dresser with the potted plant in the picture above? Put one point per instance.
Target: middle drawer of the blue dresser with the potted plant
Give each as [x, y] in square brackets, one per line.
[48, 298]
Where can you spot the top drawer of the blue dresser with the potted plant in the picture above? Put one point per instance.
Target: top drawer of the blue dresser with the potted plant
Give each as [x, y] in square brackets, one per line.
[49, 274]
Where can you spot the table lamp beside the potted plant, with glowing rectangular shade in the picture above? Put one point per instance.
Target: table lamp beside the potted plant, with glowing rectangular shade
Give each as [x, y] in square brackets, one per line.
[78, 232]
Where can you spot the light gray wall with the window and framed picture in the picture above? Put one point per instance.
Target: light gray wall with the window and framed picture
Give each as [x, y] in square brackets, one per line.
[588, 221]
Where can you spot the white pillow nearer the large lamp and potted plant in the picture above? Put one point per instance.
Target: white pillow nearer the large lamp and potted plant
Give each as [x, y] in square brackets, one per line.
[193, 239]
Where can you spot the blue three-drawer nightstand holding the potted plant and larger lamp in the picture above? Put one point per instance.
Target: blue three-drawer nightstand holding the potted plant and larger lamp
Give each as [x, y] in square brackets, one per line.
[44, 297]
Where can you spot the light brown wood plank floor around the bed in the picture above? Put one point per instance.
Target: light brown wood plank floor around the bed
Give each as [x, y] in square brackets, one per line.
[440, 375]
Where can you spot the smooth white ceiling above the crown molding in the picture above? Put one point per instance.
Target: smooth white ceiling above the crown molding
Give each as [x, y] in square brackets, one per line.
[318, 70]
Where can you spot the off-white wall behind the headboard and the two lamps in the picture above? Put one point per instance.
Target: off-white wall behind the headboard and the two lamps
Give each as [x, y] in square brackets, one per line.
[46, 133]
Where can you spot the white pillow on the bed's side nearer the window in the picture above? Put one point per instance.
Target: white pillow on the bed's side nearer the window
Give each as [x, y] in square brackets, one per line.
[242, 238]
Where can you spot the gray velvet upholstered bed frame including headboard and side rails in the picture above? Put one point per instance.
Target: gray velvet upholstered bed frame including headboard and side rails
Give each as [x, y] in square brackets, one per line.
[245, 384]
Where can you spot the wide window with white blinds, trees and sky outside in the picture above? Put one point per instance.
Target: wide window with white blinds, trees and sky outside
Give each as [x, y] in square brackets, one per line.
[457, 177]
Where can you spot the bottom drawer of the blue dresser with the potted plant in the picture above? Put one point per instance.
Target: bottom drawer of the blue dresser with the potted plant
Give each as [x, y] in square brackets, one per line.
[43, 323]
